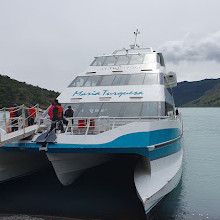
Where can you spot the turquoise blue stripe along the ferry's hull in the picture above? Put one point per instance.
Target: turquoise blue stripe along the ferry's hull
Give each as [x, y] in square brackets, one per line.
[130, 143]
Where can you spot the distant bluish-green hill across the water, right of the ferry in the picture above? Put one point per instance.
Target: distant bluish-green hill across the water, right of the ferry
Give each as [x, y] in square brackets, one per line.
[204, 93]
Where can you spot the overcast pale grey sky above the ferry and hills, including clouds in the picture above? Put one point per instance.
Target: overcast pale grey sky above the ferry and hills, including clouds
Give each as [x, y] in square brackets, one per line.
[47, 42]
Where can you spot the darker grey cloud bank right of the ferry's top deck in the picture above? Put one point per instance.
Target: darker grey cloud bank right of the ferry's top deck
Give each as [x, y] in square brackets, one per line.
[189, 49]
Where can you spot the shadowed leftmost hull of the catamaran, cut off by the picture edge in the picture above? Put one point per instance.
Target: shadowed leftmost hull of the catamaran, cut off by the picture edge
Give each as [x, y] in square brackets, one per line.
[16, 164]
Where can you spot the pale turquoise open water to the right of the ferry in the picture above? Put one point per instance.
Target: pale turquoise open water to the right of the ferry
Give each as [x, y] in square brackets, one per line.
[198, 195]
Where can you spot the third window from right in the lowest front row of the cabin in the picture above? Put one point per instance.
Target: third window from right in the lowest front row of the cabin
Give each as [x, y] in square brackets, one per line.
[110, 109]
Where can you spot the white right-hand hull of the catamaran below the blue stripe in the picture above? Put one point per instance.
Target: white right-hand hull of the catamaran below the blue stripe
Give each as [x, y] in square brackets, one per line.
[157, 180]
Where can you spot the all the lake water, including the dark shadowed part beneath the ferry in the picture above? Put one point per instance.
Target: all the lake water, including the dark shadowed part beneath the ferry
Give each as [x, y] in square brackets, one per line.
[196, 197]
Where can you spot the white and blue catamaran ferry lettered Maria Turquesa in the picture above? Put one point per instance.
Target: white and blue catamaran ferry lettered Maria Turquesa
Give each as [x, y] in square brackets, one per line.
[123, 104]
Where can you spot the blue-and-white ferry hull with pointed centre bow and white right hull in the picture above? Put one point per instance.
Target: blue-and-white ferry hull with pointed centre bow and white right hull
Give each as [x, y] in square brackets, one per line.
[158, 143]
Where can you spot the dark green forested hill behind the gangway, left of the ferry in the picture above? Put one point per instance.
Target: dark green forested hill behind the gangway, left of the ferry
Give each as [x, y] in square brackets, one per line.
[13, 91]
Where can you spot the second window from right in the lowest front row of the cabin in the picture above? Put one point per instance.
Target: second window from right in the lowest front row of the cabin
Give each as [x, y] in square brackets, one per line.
[132, 109]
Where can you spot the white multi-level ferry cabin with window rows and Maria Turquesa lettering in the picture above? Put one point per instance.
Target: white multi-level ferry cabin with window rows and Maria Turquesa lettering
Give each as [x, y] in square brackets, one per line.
[125, 84]
